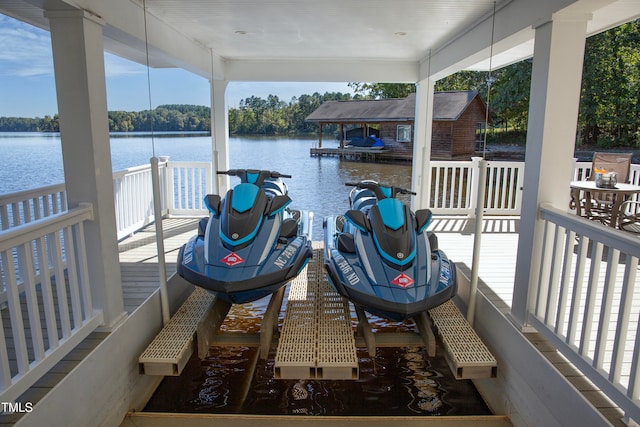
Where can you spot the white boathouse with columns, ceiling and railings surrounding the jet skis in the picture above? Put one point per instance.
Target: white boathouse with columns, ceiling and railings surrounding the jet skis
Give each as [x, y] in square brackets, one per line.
[557, 294]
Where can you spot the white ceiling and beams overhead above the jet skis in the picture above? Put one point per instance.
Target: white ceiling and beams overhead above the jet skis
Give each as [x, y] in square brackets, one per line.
[222, 36]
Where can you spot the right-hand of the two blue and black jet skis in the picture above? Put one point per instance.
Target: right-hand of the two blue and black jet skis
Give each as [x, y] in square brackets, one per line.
[380, 256]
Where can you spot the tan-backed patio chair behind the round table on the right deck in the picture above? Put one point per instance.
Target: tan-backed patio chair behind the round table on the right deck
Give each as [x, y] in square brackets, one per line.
[600, 204]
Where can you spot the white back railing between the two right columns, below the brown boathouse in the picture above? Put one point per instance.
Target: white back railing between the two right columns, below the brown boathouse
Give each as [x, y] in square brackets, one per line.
[454, 187]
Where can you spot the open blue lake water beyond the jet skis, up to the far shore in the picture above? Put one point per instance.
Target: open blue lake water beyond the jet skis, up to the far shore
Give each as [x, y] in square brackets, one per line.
[32, 160]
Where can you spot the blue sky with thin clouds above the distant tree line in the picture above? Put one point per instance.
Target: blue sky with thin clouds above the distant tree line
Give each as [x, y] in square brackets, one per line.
[27, 85]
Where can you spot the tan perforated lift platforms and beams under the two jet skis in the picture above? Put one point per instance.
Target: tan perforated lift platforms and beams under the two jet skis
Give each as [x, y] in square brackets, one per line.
[317, 338]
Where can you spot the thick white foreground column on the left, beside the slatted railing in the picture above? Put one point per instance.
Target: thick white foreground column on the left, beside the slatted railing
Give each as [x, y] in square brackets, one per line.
[78, 59]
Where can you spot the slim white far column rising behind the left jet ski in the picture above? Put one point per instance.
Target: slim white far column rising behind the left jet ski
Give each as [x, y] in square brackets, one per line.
[219, 135]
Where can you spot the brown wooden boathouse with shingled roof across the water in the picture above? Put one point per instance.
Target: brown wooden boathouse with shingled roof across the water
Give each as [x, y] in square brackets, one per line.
[458, 123]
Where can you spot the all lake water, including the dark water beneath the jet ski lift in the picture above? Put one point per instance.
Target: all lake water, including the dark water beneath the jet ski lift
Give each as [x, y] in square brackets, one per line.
[398, 381]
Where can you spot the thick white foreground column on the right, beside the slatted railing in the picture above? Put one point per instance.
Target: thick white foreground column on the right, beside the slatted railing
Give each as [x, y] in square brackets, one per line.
[553, 115]
